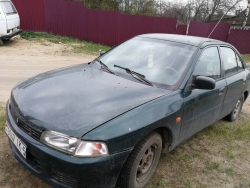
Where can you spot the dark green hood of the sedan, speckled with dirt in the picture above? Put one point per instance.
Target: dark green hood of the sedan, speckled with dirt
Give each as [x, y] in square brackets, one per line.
[77, 99]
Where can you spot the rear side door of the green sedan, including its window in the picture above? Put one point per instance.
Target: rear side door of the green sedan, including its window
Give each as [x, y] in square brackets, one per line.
[235, 77]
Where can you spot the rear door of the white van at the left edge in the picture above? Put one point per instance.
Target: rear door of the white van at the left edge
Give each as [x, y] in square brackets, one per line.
[12, 17]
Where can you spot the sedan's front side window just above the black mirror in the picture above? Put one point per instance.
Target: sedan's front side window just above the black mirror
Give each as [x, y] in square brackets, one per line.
[209, 64]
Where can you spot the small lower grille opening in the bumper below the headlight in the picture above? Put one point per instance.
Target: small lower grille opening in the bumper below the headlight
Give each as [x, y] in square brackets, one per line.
[64, 178]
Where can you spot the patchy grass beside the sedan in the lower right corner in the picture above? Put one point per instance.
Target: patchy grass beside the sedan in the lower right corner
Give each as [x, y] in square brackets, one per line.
[214, 157]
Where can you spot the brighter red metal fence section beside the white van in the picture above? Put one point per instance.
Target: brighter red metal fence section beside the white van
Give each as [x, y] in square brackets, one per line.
[32, 14]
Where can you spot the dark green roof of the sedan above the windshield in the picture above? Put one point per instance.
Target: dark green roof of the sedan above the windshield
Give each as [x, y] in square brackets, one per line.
[191, 40]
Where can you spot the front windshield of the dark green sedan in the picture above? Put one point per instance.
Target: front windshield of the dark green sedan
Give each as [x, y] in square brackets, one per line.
[161, 62]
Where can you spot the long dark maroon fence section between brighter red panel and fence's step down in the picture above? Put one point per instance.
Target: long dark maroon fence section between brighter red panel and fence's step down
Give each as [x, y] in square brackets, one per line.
[105, 27]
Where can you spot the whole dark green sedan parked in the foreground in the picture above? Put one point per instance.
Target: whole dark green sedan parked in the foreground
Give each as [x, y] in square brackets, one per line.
[105, 123]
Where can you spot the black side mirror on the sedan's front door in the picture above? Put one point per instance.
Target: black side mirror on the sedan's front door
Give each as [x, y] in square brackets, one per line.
[203, 82]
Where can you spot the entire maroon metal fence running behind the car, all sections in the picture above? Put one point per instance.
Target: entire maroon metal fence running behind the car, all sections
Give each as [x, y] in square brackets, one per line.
[67, 18]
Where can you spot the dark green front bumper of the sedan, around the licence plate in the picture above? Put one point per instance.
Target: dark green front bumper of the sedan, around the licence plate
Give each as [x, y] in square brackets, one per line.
[62, 170]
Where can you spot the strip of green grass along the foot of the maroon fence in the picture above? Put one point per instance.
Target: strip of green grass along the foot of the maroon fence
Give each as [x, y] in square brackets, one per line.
[77, 45]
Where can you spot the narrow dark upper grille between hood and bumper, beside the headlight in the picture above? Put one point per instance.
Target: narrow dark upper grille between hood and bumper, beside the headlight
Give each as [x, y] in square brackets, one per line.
[25, 125]
